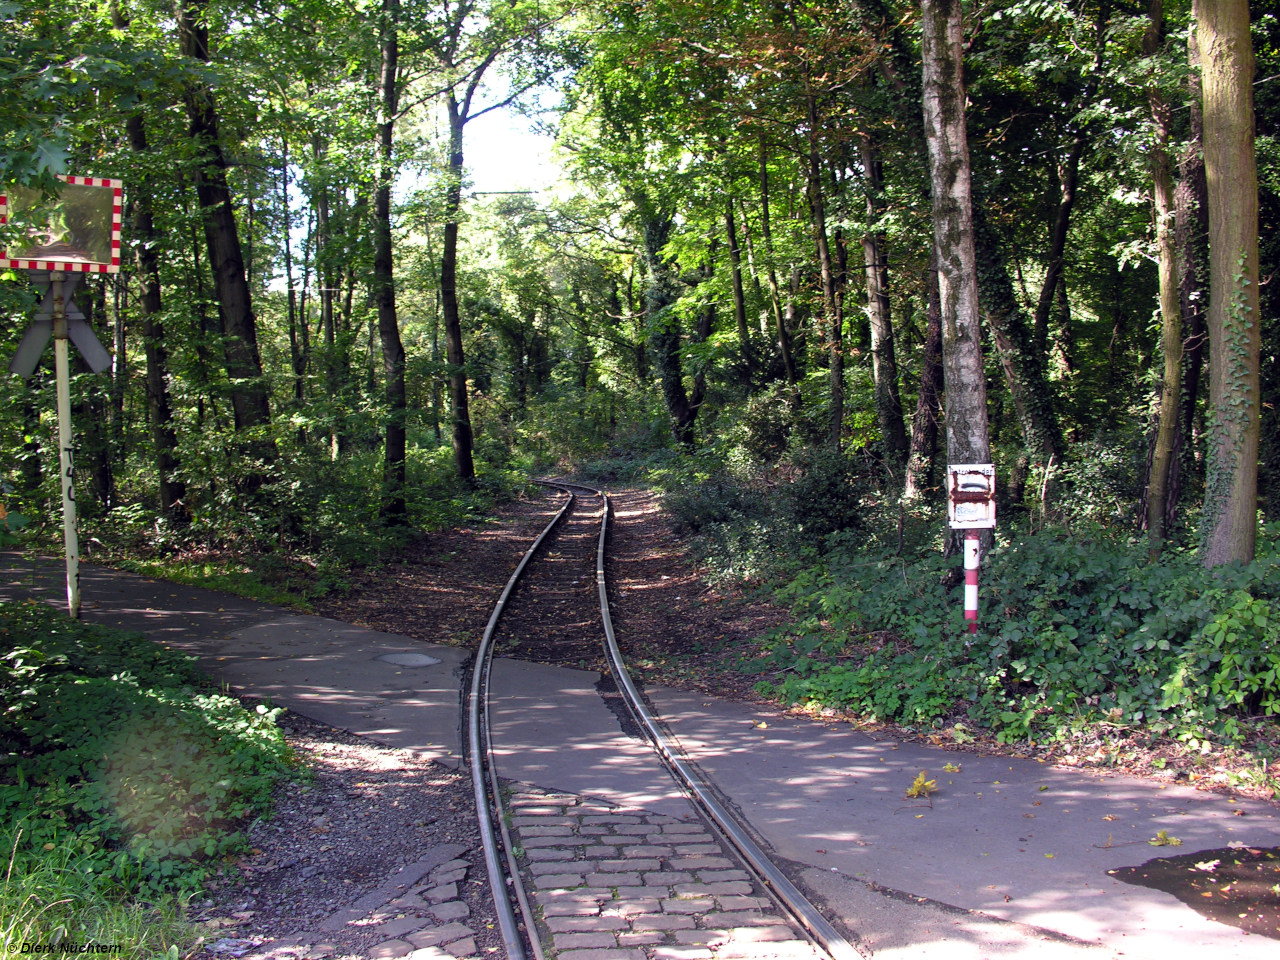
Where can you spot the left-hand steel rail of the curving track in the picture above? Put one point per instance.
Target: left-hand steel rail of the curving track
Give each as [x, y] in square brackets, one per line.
[478, 728]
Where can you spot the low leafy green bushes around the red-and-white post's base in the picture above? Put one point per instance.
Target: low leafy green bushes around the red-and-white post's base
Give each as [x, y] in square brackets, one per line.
[1075, 630]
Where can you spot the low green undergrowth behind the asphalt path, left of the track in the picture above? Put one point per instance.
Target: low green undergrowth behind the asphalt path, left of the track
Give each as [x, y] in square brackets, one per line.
[290, 542]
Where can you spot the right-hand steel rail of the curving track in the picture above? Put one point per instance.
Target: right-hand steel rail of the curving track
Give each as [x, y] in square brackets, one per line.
[784, 890]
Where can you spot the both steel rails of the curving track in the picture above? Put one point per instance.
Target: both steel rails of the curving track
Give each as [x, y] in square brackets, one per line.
[788, 895]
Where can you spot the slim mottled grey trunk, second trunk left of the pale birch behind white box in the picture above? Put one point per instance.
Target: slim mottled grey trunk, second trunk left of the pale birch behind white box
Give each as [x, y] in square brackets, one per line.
[889, 404]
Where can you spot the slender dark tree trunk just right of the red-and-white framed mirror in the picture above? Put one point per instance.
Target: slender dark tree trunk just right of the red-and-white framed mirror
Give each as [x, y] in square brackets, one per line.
[164, 438]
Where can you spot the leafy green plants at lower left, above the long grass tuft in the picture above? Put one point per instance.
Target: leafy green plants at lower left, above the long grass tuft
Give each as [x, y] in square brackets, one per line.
[118, 748]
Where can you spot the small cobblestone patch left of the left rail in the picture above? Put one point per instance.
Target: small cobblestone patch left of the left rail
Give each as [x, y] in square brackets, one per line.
[418, 915]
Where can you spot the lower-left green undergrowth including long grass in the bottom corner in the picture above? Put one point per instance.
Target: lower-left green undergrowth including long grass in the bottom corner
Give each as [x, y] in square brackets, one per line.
[125, 778]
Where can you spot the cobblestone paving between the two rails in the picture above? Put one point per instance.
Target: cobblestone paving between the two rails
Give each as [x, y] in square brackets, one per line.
[612, 884]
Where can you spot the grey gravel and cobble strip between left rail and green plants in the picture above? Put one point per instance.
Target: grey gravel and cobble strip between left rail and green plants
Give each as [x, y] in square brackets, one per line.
[374, 858]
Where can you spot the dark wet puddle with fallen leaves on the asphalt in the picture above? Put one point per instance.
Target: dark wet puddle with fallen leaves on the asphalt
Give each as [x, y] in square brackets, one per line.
[1240, 886]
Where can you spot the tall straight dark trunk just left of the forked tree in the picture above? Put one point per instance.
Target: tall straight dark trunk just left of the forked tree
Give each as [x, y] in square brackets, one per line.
[394, 508]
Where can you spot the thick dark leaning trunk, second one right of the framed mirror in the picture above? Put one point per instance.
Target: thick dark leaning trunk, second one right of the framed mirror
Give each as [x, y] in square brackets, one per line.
[244, 363]
